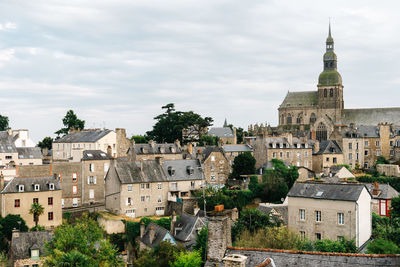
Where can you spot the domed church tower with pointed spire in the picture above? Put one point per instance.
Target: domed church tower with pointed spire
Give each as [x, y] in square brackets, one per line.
[330, 88]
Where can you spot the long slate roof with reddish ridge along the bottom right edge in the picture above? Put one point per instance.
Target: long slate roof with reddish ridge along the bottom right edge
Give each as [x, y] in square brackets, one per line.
[320, 259]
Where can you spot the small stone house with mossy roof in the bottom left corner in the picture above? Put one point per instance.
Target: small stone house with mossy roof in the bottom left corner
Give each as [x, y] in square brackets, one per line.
[28, 248]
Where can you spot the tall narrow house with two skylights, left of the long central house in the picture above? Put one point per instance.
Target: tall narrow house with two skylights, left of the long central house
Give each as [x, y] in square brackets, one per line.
[95, 165]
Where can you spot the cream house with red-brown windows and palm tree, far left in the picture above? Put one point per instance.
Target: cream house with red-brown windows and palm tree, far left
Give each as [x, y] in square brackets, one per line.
[19, 194]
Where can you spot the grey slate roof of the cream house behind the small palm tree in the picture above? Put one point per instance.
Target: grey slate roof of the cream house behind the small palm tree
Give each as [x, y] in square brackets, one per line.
[28, 183]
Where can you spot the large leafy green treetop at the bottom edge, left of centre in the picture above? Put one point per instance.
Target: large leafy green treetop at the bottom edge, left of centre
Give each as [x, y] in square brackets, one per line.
[81, 244]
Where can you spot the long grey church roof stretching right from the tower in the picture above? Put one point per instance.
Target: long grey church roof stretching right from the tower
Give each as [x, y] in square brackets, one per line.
[371, 116]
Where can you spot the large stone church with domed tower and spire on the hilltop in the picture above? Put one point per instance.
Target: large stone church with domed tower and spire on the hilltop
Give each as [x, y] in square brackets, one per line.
[321, 111]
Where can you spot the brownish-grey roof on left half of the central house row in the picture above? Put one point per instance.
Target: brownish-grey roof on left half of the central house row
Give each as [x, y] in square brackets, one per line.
[130, 172]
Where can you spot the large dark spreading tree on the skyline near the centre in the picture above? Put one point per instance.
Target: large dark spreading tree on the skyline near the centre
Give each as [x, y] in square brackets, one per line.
[169, 125]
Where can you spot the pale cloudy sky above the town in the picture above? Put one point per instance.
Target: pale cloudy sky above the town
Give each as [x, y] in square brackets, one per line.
[117, 62]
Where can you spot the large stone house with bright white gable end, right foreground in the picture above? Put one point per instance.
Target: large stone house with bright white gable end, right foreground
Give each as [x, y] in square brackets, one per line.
[330, 211]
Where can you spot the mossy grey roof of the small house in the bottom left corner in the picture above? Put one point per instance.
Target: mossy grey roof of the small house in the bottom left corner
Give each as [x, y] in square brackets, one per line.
[21, 246]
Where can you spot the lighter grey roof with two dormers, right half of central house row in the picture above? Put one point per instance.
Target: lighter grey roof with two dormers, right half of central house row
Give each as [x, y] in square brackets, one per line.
[182, 170]
